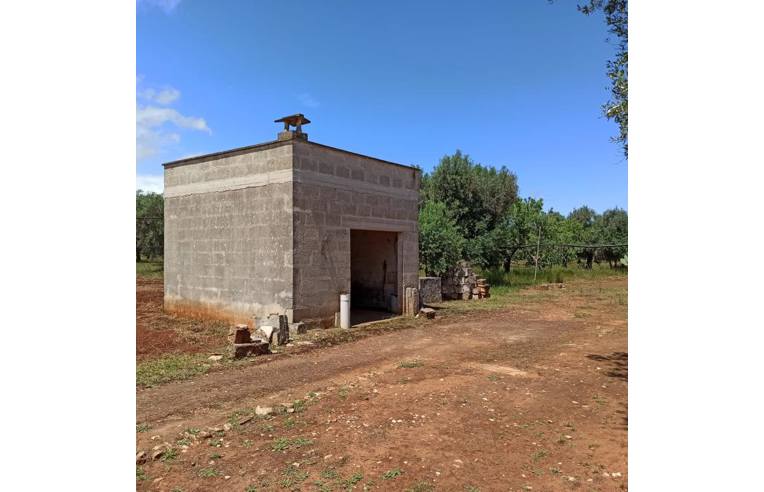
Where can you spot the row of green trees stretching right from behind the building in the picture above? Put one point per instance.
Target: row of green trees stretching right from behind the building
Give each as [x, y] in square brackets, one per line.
[468, 211]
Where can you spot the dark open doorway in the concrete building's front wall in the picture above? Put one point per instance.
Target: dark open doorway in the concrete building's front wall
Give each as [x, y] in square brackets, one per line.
[373, 276]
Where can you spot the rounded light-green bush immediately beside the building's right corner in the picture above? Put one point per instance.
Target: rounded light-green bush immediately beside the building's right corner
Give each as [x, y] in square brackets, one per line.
[440, 242]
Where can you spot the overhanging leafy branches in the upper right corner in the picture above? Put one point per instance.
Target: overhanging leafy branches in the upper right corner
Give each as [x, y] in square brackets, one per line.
[617, 108]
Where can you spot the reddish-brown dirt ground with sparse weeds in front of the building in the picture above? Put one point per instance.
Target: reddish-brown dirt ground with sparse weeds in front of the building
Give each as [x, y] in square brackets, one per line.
[528, 397]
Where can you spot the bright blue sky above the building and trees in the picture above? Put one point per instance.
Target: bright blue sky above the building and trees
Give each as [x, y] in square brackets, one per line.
[516, 84]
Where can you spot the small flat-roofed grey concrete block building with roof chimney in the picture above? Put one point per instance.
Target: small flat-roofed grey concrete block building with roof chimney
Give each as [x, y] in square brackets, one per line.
[285, 227]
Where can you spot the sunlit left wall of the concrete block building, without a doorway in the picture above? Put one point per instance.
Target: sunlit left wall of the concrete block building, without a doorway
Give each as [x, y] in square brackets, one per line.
[229, 235]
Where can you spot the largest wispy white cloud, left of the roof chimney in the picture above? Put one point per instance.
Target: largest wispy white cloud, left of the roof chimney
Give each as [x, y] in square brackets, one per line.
[157, 127]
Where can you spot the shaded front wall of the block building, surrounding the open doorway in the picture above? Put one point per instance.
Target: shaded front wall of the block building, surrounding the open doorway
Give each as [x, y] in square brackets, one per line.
[335, 192]
